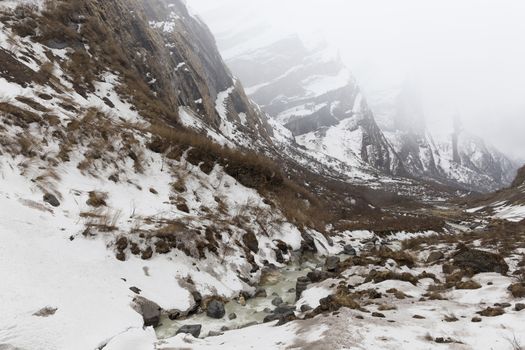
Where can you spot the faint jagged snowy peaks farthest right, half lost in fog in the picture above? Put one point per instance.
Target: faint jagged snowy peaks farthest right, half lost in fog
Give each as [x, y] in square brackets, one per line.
[457, 158]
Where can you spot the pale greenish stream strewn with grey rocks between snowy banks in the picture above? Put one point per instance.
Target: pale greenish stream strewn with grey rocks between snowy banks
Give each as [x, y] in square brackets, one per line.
[276, 298]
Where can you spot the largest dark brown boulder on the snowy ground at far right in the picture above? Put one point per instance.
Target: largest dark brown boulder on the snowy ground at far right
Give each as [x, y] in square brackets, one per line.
[479, 261]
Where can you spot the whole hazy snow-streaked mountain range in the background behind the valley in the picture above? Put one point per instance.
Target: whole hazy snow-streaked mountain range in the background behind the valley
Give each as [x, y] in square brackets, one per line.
[305, 87]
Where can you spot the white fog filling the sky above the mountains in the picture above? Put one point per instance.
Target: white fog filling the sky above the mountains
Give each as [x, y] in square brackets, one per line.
[467, 57]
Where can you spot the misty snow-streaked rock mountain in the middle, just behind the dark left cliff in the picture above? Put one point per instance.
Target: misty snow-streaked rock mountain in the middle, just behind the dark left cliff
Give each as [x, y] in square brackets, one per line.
[311, 93]
